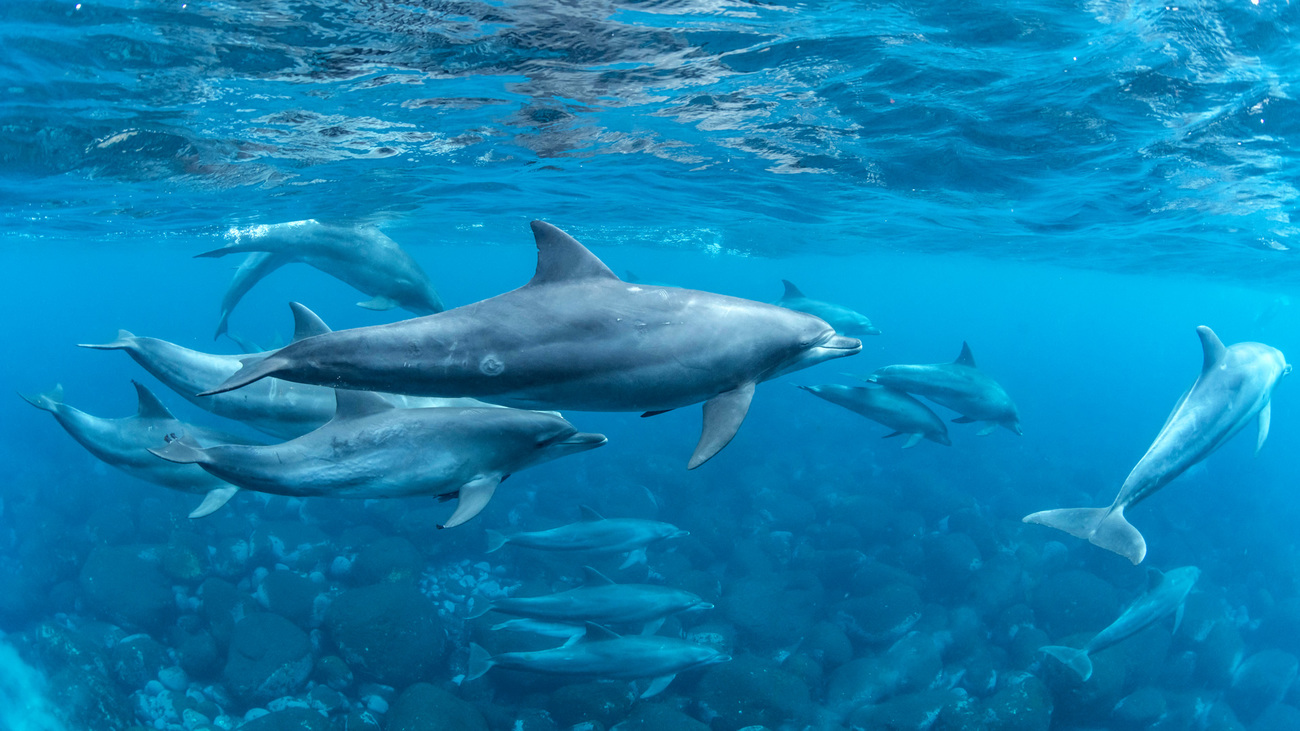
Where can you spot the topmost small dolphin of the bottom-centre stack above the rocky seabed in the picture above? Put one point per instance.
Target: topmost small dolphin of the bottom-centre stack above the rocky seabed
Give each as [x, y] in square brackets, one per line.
[595, 533]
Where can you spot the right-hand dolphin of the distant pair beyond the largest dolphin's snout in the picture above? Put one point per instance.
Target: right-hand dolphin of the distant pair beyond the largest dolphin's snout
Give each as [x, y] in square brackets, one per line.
[959, 386]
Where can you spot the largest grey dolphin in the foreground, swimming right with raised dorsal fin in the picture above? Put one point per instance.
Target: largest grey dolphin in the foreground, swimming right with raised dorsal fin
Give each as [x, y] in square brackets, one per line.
[575, 338]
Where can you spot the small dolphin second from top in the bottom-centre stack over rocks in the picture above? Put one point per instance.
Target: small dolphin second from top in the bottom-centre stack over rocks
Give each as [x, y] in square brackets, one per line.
[601, 602]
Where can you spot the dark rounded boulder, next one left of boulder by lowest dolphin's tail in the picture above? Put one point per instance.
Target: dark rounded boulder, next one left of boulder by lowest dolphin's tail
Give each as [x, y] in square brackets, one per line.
[270, 658]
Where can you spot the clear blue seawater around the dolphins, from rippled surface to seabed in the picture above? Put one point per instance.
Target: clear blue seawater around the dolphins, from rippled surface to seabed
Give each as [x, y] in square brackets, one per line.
[1069, 188]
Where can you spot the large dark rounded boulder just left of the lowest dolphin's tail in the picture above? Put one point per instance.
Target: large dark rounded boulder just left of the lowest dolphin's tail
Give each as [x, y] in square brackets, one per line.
[388, 633]
